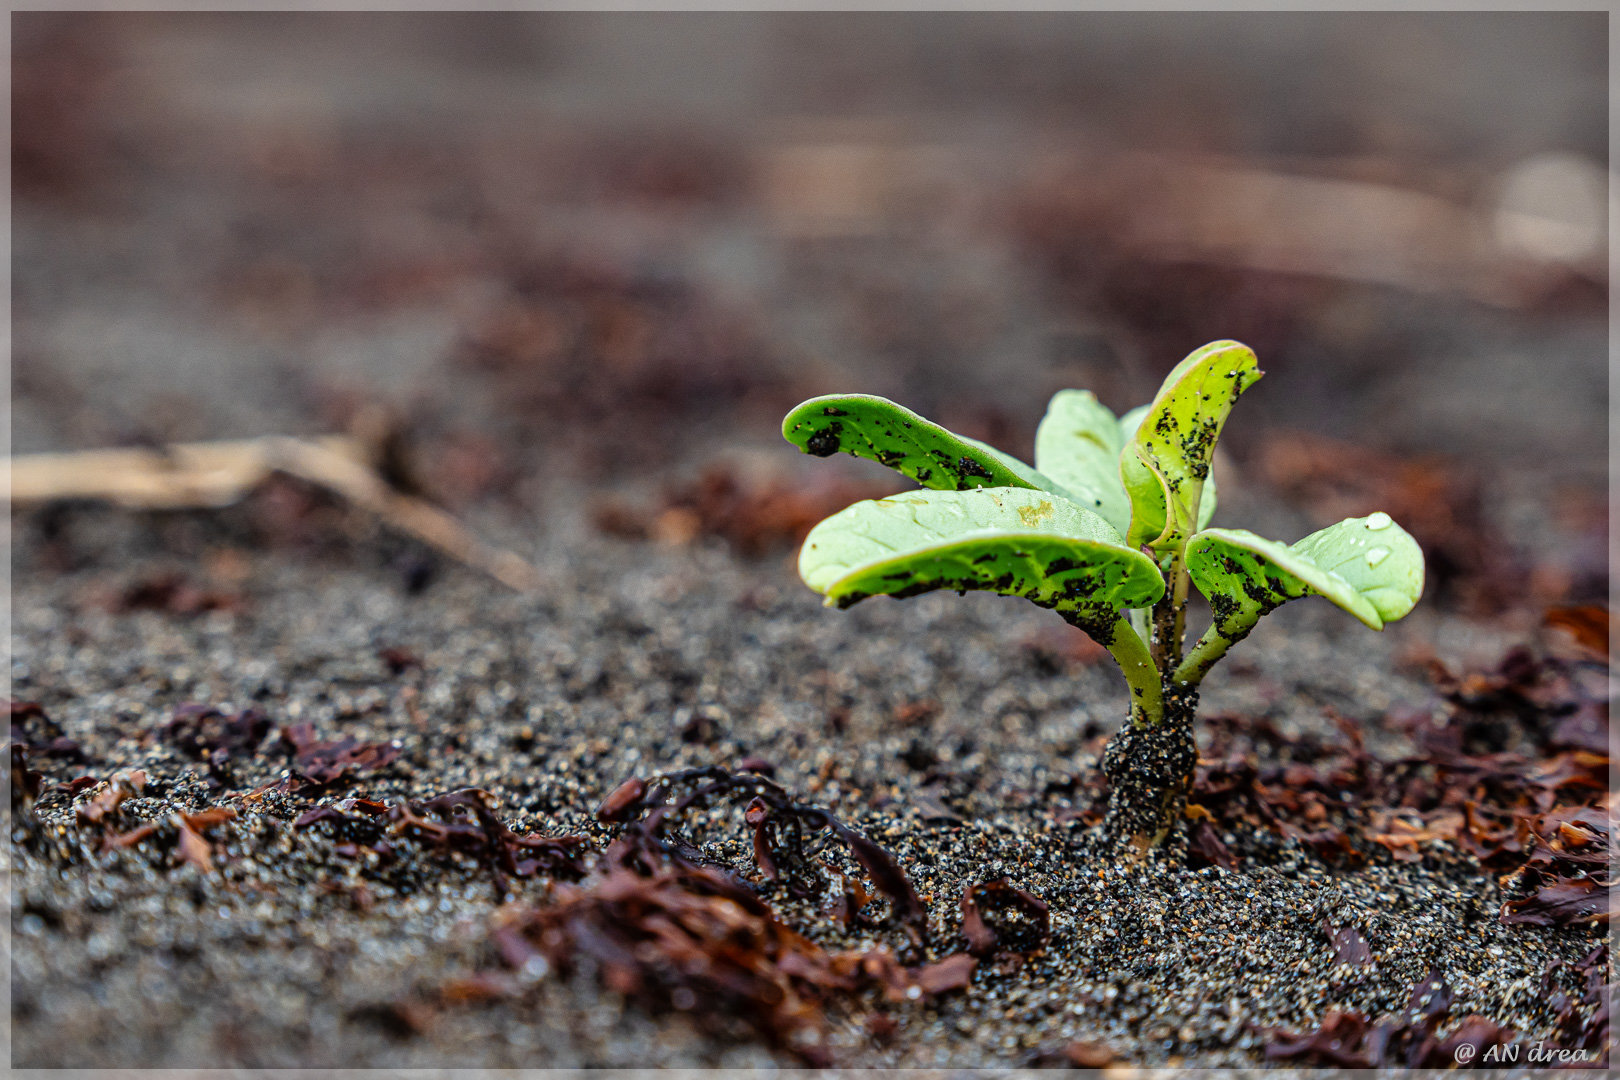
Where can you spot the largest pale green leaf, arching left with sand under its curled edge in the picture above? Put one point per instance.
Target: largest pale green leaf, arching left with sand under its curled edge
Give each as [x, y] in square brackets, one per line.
[1000, 540]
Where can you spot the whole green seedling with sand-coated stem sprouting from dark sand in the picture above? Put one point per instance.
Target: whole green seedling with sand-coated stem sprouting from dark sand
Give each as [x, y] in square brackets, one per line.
[1111, 530]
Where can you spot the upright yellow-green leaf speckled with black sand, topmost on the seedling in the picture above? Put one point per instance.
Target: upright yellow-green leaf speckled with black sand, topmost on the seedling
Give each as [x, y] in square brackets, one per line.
[1175, 443]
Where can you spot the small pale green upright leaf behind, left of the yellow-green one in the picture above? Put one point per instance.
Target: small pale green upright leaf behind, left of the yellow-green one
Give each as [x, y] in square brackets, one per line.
[1078, 444]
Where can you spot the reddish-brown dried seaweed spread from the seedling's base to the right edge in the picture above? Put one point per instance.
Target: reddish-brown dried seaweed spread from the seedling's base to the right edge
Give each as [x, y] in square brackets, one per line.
[1538, 809]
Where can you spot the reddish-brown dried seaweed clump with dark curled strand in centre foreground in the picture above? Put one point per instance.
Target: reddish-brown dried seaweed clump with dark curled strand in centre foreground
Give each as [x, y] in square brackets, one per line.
[676, 933]
